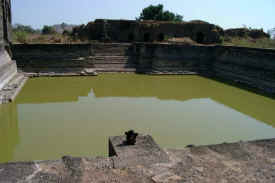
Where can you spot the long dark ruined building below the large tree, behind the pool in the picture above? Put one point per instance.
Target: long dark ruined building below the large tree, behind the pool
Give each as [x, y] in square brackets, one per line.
[149, 31]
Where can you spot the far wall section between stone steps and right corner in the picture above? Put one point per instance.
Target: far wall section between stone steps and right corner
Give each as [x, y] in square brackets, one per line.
[172, 58]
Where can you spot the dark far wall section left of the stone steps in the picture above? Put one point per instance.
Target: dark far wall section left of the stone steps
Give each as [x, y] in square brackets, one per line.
[31, 58]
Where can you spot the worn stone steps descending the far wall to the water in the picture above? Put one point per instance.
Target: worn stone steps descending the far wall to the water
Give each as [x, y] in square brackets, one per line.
[113, 58]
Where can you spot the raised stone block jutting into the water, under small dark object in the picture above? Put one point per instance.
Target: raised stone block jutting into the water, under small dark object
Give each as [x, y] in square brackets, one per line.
[145, 152]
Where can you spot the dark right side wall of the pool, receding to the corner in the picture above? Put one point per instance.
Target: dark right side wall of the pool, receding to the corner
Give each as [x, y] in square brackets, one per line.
[249, 66]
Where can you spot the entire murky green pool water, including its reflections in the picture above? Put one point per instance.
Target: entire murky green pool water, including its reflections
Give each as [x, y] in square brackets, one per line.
[53, 117]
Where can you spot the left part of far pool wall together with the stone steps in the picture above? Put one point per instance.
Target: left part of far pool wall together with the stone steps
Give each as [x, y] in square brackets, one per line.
[73, 58]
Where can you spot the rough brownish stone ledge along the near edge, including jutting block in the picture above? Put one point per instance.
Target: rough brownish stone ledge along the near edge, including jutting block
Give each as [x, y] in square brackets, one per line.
[252, 161]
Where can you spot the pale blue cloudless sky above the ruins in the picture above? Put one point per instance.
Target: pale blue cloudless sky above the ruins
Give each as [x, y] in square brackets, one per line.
[226, 13]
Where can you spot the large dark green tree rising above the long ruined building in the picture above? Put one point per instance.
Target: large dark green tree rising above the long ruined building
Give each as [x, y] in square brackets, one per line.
[157, 13]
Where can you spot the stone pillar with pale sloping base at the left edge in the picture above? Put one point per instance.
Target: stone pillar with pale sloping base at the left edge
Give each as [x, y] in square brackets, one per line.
[7, 67]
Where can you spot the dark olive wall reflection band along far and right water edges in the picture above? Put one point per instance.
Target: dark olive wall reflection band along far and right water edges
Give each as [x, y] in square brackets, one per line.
[180, 88]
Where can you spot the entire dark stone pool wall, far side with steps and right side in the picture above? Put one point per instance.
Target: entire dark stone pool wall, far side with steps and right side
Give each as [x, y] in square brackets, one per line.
[252, 67]
